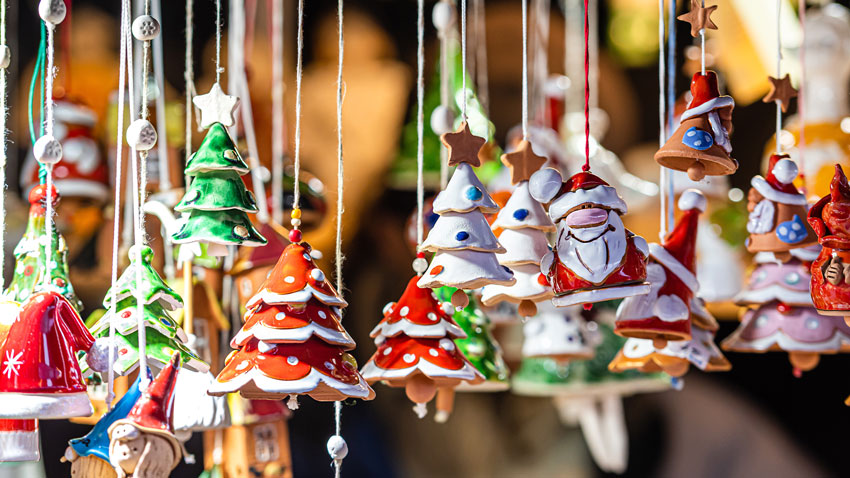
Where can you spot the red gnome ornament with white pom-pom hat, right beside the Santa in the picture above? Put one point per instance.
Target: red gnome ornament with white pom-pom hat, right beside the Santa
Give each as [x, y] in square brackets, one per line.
[664, 314]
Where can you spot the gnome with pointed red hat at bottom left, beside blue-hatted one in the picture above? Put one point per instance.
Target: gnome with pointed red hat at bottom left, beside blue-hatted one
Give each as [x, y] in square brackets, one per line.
[142, 444]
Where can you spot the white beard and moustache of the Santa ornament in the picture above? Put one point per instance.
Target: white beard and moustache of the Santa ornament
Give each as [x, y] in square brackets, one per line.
[601, 255]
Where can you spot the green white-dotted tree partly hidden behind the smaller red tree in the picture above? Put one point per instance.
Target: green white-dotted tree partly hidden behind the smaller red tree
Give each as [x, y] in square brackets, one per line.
[479, 346]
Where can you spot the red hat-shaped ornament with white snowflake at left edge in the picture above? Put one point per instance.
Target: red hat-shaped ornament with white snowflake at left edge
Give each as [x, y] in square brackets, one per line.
[39, 372]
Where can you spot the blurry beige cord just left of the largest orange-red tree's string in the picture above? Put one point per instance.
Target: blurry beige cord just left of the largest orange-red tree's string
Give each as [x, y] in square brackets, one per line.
[278, 131]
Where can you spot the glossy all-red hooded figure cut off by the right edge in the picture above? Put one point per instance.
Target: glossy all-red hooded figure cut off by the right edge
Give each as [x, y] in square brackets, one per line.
[830, 219]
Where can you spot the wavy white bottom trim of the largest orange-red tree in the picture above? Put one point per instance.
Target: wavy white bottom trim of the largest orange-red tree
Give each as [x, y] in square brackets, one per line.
[302, 385]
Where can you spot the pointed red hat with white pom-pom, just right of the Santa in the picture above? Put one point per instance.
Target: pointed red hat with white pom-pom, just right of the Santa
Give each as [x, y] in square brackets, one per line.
[678, 254]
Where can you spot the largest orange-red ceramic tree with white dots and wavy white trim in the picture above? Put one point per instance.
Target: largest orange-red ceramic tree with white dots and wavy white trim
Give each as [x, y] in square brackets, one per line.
[292, 342]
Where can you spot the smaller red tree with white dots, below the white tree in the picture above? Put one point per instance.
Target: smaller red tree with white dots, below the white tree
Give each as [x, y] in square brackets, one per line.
[416, 350]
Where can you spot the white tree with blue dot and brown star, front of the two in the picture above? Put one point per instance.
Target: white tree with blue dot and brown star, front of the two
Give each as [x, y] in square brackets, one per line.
[464, 244]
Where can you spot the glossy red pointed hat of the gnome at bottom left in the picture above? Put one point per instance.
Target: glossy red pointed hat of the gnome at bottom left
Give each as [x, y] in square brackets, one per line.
[153, 412]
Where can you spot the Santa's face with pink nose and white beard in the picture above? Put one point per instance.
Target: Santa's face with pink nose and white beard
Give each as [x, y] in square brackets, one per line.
[592, 241]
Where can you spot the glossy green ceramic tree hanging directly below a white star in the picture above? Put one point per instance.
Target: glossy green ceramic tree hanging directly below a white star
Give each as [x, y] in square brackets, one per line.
[216, 205]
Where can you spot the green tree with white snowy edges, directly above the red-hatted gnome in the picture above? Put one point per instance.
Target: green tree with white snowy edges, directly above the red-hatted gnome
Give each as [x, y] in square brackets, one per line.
[162, 334]
